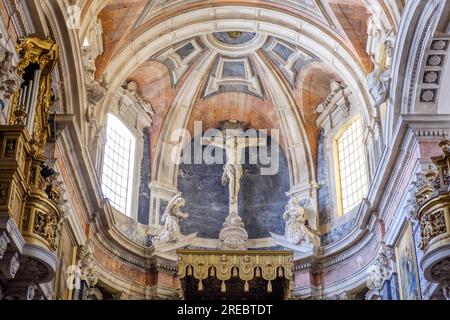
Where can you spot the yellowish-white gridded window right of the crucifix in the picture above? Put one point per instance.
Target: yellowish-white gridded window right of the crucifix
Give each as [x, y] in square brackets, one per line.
[351, 167]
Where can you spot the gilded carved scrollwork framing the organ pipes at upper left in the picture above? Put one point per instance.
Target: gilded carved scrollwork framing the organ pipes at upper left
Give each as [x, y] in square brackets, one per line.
[45, 54]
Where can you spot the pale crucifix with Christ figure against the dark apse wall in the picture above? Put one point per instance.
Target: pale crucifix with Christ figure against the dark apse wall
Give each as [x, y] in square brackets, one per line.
[233, 143]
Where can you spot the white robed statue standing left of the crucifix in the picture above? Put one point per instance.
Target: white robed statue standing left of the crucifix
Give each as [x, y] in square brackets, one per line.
[172, 217]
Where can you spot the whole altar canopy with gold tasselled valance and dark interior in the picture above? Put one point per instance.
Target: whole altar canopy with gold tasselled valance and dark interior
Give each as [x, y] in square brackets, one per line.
[235, 275]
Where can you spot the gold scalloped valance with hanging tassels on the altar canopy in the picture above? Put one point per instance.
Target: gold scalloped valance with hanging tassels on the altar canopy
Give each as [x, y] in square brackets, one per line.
[247, 265]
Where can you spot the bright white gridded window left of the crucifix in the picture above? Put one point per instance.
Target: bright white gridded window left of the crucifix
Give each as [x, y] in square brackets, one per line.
[118, 165]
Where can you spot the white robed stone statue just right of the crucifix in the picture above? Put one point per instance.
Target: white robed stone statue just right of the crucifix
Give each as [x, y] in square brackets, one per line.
[296, 230]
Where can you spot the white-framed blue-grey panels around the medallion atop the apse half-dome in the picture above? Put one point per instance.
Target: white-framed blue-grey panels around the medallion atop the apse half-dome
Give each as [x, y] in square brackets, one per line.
[237, 63]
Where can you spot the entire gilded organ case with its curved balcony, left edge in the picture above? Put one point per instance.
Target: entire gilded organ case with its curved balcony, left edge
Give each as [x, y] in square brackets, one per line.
[28, 189]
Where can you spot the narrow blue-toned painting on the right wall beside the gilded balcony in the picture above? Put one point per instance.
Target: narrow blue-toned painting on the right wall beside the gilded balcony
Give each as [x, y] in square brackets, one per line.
[407, 266]
